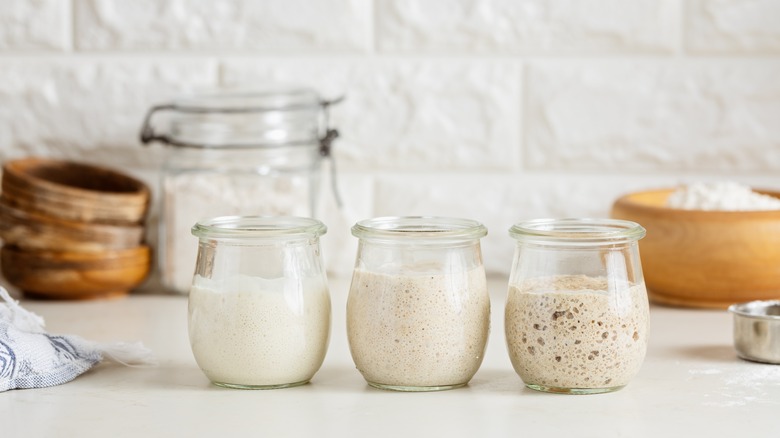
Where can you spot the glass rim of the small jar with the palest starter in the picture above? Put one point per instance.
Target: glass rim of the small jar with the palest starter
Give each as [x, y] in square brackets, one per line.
[258, 227]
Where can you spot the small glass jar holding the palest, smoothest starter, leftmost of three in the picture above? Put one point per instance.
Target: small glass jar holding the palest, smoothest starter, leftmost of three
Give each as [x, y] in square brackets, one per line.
[259, 306]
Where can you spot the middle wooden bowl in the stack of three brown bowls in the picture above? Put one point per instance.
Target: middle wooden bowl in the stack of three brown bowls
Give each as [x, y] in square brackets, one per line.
[30, 231]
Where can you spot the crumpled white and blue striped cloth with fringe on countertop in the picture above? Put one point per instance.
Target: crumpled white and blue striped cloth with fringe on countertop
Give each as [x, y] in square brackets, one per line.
[31, 358]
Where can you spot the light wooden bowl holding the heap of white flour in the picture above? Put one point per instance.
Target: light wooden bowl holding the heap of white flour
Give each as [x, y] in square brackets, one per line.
[710, 259]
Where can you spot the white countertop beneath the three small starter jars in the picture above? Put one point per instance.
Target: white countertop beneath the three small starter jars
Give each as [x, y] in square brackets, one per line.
[691, 384]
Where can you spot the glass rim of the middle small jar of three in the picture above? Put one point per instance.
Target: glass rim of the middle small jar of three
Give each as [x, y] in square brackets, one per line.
[434, 228]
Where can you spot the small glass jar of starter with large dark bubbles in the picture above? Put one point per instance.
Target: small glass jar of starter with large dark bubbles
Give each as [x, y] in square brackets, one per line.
[577, 310]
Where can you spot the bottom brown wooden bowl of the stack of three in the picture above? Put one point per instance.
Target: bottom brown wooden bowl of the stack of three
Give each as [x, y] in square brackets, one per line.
[75, 275]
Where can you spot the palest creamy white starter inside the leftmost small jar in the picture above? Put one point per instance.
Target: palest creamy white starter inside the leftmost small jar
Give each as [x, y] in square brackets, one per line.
[248, 331]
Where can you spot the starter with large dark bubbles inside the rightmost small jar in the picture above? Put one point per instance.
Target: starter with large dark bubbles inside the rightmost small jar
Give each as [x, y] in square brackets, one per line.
[570, 332]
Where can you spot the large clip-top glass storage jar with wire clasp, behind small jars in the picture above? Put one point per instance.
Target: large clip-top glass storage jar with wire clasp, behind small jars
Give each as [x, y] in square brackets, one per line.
[235, 153]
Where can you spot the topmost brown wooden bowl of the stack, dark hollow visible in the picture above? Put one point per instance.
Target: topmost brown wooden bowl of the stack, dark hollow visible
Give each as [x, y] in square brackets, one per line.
[74, 191]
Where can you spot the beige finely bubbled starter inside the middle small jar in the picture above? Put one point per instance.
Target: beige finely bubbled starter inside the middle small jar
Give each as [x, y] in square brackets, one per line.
[418, 330]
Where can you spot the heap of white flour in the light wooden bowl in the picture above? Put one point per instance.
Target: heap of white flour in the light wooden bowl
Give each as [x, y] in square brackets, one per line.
[725, 196]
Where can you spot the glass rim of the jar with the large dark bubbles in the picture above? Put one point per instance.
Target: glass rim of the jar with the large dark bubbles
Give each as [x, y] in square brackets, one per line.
[577, 230]
